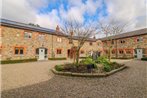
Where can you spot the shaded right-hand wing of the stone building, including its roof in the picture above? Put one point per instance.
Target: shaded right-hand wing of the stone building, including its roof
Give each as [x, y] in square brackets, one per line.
[127, 45]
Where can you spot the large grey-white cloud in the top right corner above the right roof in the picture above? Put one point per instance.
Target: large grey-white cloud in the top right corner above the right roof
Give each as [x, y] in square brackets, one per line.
[132, 11]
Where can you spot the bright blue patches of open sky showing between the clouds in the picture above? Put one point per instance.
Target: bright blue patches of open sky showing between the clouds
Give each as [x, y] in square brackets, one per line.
[102, 9]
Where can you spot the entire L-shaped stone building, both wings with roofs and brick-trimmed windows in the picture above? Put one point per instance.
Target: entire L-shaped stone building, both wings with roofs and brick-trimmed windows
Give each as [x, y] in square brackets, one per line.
[24, 41]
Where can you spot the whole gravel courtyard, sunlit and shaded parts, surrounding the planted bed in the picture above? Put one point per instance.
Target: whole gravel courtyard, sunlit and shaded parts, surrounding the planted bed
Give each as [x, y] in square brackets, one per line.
[35, 80]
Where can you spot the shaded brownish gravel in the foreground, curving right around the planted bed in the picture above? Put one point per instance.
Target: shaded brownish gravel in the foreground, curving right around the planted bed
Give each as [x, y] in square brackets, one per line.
[129, 83]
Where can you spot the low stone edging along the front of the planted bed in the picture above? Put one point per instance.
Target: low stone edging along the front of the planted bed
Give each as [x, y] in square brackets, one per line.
[88, 74]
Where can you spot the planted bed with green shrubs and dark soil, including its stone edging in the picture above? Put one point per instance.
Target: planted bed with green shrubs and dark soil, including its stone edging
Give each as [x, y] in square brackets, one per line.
[89, 67]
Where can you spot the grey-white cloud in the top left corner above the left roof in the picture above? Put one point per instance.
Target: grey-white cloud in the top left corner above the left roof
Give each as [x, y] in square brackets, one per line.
[18, 10]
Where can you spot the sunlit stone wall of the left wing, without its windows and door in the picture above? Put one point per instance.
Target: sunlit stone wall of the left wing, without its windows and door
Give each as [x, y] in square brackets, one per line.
[14, 37]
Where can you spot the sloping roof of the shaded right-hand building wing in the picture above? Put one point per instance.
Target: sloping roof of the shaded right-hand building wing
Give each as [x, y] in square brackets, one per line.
[127, 34]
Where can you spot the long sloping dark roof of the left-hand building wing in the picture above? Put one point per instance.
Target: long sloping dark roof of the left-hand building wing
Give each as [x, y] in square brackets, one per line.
[19, 25]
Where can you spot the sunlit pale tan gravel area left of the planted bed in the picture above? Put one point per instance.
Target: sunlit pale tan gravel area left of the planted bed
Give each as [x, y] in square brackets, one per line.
[24, 74]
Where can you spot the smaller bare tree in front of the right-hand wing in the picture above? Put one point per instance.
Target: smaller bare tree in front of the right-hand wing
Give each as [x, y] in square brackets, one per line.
[111, 29]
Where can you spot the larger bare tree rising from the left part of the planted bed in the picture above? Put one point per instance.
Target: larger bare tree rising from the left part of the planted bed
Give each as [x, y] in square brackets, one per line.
[80, 32]
